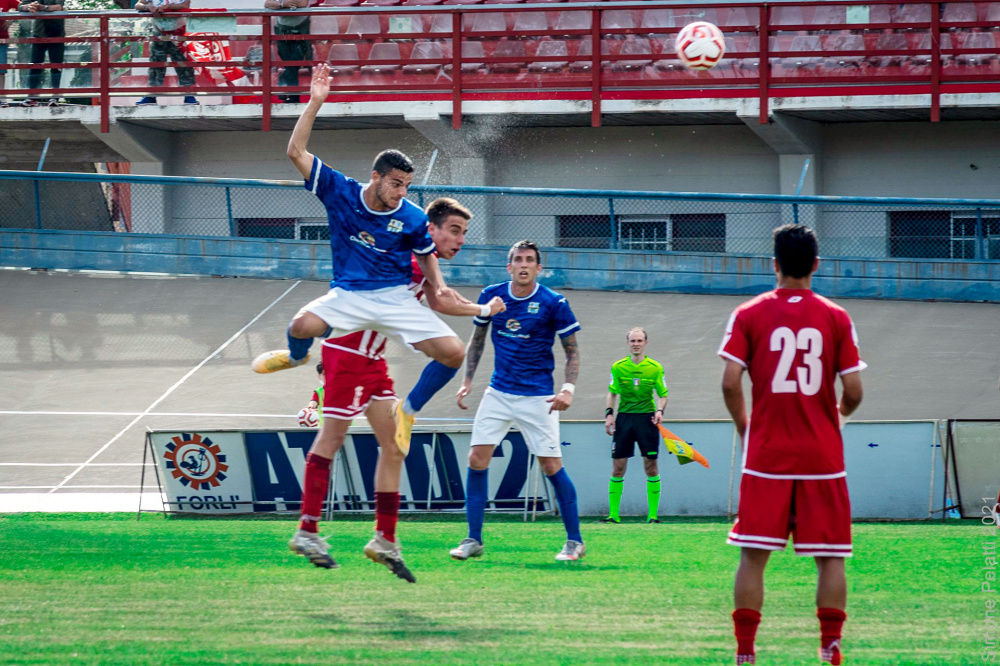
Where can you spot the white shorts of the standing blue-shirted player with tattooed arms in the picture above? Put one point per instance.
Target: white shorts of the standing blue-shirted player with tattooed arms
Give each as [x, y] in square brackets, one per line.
[498, 411]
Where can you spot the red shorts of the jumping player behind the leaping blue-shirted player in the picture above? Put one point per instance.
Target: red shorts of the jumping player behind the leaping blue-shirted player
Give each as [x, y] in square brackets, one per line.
[352, 381]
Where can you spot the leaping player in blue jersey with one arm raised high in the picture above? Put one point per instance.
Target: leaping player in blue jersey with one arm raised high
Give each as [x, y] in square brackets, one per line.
[373, 230]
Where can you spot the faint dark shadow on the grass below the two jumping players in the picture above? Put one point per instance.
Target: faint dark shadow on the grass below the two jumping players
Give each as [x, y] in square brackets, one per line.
[404, 625]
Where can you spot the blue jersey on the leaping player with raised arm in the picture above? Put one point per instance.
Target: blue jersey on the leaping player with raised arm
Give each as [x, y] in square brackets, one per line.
[371, 250]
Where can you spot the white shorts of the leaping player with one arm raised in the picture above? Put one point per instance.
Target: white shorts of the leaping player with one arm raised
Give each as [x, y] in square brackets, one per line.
[390, 311]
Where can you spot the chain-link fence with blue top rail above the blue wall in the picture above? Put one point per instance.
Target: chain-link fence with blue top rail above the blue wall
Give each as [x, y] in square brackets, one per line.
[639, 221]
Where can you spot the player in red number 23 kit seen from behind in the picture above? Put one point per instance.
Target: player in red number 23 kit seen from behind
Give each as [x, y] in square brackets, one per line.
[794, 344]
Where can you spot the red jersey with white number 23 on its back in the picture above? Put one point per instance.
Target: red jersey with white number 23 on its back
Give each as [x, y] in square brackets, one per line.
[794, 343]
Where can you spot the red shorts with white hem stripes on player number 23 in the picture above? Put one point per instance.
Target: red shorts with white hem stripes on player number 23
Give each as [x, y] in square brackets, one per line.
[815, 512]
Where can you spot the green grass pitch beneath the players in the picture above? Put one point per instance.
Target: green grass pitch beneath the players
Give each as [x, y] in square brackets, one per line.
[104, 589]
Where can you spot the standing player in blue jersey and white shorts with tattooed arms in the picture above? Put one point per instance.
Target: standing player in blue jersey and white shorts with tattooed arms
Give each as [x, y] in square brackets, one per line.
[520, 392]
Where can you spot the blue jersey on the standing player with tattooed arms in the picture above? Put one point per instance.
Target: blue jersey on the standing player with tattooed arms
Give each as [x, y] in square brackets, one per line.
[523, 336]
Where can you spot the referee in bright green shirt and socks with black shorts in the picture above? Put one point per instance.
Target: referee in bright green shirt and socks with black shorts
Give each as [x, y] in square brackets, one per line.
[633, 381]
